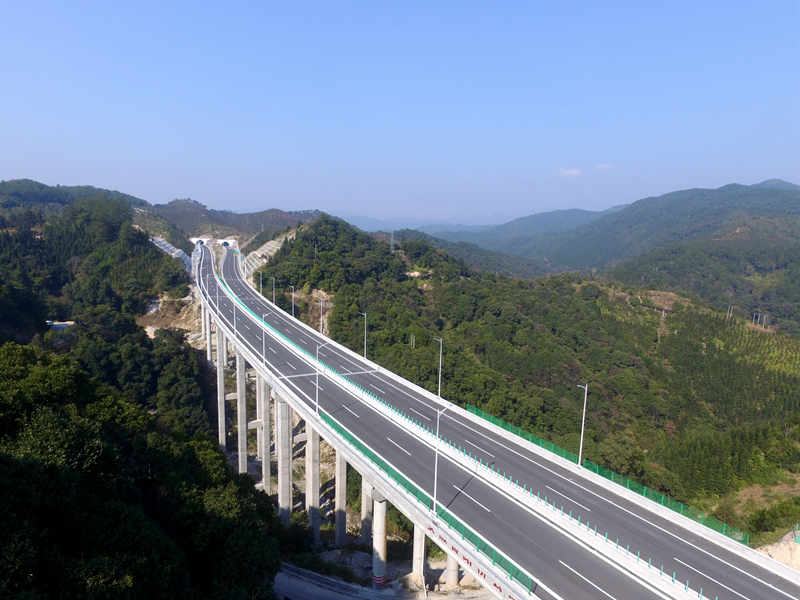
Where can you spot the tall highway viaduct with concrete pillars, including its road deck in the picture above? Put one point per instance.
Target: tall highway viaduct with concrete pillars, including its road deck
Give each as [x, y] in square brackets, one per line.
[523, 522]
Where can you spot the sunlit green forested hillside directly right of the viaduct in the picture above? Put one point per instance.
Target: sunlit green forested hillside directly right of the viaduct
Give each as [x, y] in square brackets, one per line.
[689, 403]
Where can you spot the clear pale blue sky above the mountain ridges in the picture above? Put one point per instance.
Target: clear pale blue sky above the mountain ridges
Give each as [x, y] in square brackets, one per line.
[452, 110]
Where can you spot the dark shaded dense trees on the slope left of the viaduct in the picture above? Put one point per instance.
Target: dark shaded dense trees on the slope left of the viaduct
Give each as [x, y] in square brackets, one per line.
[112, 485]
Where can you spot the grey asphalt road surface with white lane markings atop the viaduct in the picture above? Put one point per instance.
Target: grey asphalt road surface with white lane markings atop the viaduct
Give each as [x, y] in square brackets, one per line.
[565, 567]
